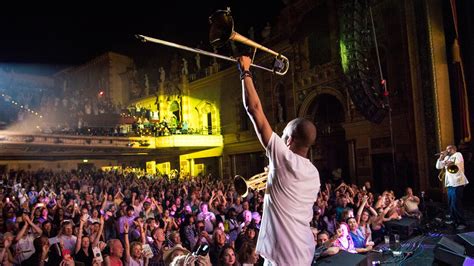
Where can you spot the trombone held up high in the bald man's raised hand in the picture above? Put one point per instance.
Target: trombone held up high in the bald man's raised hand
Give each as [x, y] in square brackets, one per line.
[222, 30]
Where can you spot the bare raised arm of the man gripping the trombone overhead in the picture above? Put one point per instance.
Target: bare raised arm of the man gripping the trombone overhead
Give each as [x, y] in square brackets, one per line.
[252, 103]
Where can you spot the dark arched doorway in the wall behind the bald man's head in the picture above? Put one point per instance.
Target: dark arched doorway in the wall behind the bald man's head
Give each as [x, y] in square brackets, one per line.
[330, 151]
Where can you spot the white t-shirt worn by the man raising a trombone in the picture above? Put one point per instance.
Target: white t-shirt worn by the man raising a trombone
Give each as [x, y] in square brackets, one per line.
[293, 183]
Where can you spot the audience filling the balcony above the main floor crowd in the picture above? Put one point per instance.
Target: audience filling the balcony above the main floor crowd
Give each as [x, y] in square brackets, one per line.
[75, 115]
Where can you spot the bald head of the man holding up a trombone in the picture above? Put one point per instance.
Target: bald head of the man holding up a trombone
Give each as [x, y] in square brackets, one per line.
[302, 133]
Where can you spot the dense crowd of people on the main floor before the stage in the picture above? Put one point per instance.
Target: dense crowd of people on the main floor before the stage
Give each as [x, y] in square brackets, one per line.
[108, 218]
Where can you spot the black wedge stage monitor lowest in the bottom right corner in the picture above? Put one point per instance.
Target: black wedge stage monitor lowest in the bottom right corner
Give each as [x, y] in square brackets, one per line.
[449, 252]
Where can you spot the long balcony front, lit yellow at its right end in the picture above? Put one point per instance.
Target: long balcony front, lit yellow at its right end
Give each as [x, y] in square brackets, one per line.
[21, 146]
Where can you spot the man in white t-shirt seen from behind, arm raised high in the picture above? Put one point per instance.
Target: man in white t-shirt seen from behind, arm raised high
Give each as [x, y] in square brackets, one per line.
[293, 183]
